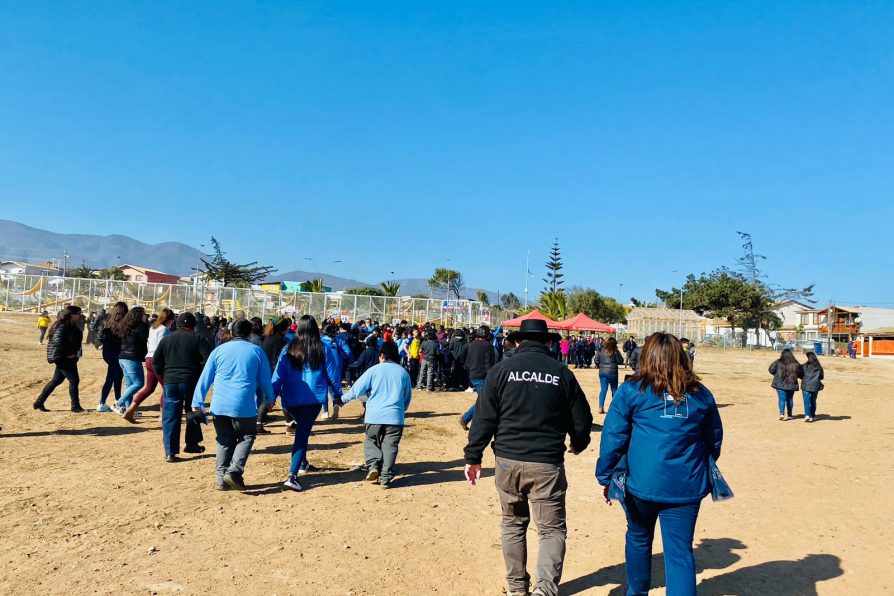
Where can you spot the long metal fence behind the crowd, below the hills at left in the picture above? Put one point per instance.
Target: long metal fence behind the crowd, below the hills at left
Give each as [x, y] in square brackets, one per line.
[33, 293]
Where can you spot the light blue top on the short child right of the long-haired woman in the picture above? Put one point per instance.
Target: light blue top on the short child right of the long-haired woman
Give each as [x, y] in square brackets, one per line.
[390, 391]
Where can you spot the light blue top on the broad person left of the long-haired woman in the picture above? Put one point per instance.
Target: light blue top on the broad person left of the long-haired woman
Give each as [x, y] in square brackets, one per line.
[239, 371]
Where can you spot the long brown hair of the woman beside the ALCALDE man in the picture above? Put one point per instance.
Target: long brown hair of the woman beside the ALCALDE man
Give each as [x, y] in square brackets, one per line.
[665, 368]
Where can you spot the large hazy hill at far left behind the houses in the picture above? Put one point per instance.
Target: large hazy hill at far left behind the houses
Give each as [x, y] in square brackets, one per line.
[21, 242]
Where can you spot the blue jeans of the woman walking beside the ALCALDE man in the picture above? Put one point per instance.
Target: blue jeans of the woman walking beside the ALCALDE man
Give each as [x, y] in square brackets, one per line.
[677, 529]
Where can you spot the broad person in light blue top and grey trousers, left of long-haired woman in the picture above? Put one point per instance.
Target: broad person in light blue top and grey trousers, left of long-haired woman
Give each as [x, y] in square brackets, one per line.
[237, 370]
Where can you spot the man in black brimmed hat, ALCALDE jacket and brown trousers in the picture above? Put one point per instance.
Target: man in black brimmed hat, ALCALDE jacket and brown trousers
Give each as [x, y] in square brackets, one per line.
[528, 405]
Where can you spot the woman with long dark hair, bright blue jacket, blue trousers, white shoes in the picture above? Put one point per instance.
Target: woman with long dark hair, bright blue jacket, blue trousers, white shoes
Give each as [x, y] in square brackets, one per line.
[304, 373]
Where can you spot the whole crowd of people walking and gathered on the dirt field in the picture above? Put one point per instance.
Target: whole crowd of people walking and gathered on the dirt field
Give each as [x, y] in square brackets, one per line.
[660, 440]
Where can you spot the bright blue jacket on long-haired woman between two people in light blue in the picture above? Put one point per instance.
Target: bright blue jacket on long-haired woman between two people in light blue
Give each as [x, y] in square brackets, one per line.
[306, 387]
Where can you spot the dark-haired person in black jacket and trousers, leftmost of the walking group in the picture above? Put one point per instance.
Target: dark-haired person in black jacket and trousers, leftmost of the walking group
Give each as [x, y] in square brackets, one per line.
[62, 350]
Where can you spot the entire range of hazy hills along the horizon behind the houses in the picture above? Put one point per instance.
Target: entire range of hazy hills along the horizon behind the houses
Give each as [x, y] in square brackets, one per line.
[19, 242]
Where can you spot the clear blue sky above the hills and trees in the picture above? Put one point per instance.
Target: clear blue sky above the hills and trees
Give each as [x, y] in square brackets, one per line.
[643, 135]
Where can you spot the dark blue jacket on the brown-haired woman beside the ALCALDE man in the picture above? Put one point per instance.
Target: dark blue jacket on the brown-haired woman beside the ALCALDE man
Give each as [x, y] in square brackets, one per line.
[667, 447]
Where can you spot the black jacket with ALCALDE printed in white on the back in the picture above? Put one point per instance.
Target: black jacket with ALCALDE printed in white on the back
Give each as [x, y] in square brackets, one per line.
[529, 403]
